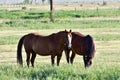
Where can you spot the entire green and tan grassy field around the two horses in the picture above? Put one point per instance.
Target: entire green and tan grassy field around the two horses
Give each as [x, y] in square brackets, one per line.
[101, 22]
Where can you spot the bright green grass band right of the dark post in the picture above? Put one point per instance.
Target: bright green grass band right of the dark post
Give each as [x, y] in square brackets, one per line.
[87, 13]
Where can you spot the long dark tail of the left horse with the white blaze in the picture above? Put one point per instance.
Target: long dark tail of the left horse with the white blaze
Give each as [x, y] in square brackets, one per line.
[19, 51]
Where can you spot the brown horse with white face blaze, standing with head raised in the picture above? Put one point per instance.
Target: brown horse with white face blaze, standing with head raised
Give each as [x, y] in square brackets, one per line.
[43, 45]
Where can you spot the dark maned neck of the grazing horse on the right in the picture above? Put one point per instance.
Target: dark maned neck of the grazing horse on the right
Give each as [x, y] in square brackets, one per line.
[91, 46]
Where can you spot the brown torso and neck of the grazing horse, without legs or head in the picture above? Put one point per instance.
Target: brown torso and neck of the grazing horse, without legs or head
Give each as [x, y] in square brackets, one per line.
[81, 44]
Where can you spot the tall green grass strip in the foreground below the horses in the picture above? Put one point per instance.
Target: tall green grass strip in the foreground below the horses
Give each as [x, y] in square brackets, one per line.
[63, 72]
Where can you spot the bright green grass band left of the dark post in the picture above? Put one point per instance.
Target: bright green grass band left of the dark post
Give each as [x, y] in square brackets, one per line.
[23, 14]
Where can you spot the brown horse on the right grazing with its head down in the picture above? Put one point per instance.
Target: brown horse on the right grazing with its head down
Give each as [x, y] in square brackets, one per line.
[81, 45]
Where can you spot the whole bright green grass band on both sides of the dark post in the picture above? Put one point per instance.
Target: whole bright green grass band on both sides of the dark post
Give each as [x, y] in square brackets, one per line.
[36, 14]
